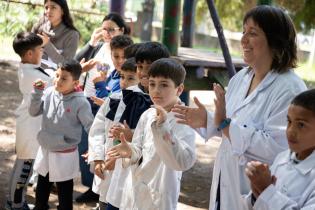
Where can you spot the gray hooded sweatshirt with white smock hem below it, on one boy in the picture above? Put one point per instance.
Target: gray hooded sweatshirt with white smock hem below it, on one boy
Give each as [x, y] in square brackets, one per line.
[62, 119]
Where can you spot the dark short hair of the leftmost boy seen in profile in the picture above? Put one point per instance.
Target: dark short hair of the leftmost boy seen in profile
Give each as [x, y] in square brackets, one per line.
[25, 41]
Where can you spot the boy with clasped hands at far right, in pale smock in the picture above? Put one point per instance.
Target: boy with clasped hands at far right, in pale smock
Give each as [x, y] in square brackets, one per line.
[290, 183]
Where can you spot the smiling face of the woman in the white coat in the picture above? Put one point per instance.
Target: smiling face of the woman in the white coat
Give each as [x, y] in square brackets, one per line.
[256, 51]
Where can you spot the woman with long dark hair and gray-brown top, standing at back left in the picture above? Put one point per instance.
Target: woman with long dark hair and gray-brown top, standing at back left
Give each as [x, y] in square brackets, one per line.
[59, 35]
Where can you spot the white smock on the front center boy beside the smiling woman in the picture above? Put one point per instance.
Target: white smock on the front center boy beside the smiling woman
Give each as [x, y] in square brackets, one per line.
[159, 155]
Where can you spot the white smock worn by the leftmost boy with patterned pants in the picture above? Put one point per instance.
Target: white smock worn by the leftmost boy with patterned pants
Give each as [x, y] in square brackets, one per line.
[27, 126]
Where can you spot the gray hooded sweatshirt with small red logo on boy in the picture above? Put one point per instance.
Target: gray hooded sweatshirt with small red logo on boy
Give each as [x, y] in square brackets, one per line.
[63, 118]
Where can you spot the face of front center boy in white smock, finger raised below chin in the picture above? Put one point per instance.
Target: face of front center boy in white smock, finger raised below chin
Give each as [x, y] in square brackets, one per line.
[163, 92]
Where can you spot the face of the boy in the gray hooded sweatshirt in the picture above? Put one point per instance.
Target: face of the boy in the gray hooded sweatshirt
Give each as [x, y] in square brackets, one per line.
[64, 82]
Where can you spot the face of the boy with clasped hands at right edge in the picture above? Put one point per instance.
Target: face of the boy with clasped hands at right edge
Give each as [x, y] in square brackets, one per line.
[300, 131]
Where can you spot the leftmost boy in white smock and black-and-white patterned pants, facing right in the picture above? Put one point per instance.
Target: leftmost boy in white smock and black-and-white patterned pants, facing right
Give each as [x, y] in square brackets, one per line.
[29, 47]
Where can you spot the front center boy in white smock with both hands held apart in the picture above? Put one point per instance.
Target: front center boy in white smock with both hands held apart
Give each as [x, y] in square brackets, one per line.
[160, 148]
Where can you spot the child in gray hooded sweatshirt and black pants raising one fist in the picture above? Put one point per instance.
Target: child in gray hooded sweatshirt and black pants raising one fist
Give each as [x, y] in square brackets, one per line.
[65, 110]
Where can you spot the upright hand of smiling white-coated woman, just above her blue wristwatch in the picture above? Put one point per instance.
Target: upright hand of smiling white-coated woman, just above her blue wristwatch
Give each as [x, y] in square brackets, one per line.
[219, 102]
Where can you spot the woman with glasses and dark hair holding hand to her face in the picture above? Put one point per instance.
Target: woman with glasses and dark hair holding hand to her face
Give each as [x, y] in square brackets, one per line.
[96, 50]
